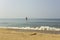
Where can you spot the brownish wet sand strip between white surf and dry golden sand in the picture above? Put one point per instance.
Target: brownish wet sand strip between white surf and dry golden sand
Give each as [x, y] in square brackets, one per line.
[38, 31]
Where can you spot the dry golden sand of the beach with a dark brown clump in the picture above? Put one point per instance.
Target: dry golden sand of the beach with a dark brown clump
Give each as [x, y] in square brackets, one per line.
[6, 34]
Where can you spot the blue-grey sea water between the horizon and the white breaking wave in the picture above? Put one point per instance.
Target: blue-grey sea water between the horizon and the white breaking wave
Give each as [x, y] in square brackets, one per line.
[20, 22]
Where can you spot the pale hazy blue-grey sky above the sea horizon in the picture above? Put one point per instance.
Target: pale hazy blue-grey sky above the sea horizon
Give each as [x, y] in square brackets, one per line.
[30, 8]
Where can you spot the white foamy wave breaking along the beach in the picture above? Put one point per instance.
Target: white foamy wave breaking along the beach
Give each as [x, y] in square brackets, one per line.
[35, 28]
